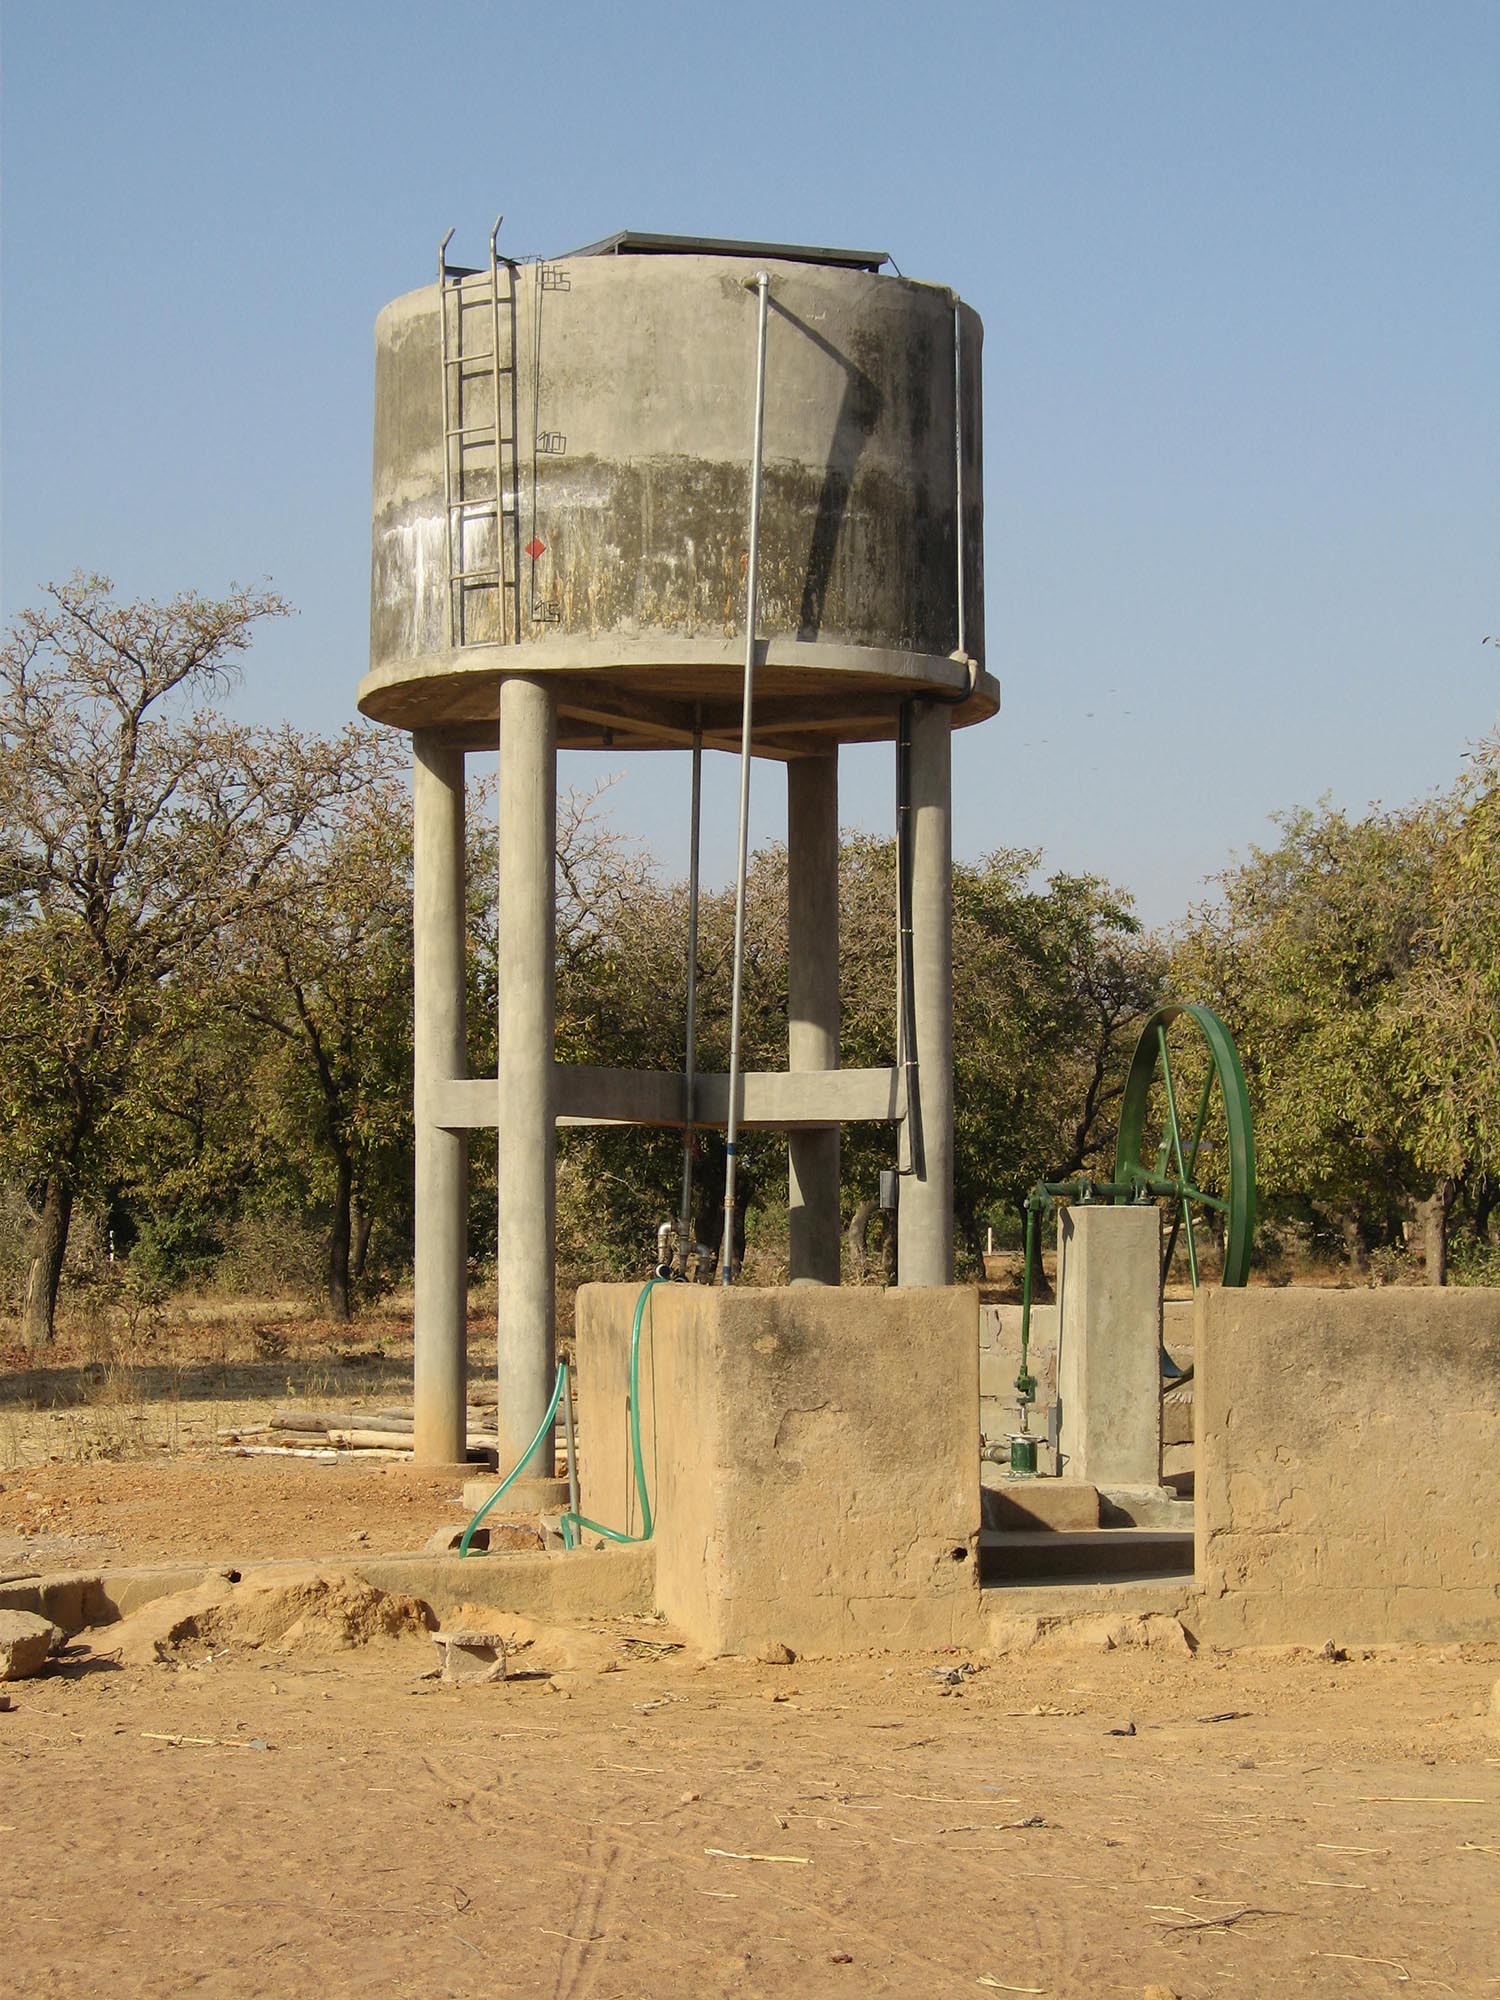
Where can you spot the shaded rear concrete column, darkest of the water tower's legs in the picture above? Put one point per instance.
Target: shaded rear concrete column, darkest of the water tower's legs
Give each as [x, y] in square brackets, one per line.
[813, 1007]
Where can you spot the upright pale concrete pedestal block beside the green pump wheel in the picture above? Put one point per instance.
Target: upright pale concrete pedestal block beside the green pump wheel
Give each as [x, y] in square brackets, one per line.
[1109, 1345]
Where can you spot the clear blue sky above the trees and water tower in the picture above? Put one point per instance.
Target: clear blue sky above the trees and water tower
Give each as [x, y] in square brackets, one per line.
[1239, 273]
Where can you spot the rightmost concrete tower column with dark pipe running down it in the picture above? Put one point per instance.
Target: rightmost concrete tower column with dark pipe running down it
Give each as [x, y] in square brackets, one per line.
[925, 1221]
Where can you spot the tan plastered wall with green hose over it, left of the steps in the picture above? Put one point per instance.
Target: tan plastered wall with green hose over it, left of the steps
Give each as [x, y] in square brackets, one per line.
[811, 1457]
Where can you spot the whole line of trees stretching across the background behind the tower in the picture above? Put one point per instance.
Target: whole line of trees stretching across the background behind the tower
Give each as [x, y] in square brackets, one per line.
[207, 971]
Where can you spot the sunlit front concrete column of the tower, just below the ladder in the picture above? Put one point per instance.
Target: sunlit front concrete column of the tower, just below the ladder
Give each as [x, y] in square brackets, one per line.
[525, 1277]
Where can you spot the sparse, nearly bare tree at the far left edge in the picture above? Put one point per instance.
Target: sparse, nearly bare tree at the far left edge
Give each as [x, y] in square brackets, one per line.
[141, 823]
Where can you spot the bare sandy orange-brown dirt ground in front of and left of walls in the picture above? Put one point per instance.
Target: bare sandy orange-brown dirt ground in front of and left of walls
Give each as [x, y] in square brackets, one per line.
[629, 1823]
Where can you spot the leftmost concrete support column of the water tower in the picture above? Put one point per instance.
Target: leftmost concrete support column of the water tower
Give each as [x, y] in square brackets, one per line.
[441, 1313]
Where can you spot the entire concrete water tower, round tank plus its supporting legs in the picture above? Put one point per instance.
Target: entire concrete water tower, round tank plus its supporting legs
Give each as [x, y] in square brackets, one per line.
[657, 495]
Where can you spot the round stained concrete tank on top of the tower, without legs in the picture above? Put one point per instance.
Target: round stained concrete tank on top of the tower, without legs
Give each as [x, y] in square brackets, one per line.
[617, 551]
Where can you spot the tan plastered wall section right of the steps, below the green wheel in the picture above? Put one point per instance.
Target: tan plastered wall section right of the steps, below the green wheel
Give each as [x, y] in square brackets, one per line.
[1349, 1467]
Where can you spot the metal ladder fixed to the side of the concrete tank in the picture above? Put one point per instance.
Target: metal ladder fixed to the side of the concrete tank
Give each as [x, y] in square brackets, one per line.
[479, 447]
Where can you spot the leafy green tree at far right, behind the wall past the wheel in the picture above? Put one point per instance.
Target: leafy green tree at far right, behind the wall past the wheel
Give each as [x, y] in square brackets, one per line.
[1357, 967]
